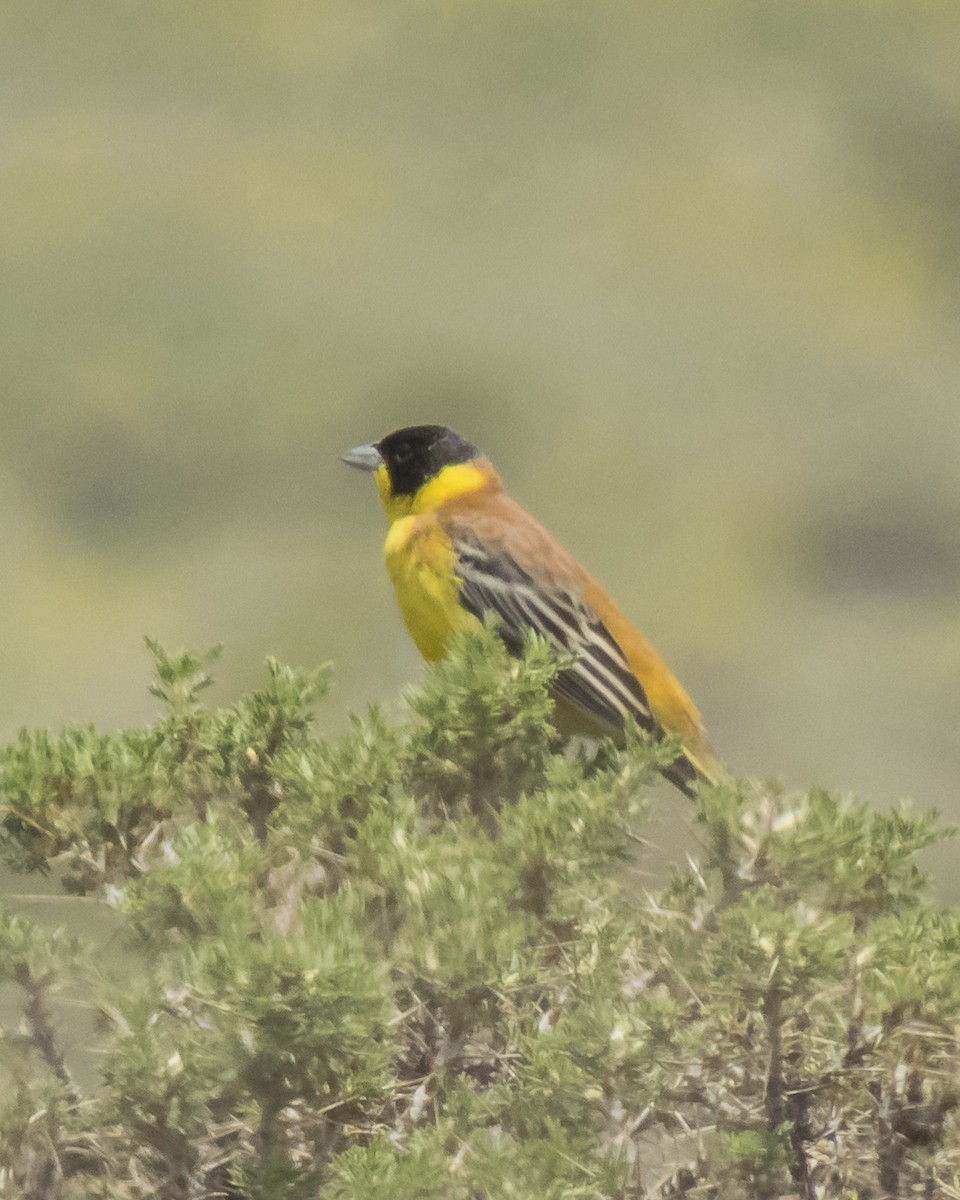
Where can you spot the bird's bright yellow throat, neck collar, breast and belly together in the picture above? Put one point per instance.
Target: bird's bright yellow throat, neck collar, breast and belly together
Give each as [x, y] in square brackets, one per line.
[421, 559]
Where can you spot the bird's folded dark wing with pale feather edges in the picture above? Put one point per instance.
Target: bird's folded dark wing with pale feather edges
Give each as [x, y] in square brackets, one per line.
[601, 682]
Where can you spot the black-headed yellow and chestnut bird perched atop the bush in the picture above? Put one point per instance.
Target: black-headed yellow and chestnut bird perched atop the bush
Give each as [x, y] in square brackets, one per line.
[459, 548]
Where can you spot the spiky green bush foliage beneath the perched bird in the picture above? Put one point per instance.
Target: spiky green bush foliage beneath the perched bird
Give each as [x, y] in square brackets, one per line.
[418, 962]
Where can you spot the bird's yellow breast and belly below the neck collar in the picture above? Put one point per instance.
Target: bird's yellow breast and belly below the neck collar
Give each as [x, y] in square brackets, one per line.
[421, 563]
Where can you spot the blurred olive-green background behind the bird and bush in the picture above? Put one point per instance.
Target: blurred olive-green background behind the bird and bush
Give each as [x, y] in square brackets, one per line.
[689, 273]
